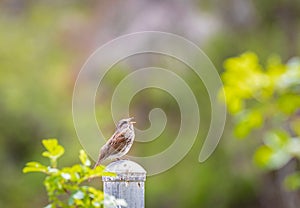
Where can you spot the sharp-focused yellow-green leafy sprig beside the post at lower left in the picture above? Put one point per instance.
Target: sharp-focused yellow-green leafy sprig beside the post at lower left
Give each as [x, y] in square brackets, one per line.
[65, 187]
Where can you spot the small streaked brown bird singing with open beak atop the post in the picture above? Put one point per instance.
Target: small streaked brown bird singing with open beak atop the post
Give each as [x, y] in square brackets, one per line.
[120, 142]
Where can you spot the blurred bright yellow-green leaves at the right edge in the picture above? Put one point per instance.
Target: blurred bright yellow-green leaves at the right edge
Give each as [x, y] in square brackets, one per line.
[267, 98]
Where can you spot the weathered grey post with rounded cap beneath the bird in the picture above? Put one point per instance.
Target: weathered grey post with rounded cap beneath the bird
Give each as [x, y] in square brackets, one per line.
[128, 184]
